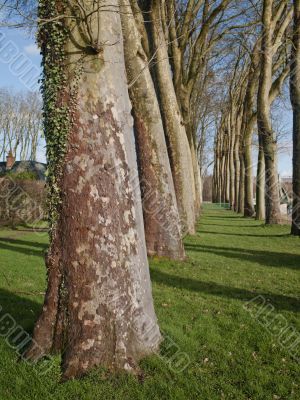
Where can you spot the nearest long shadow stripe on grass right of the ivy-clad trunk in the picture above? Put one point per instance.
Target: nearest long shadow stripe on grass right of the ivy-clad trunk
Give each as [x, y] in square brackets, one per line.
[281, 302]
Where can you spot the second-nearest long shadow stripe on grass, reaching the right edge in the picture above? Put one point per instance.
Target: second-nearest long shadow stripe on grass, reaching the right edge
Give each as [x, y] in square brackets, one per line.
[264, 258]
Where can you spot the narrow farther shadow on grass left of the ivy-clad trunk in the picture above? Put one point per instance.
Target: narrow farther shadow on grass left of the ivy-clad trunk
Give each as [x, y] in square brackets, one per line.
[34, 248]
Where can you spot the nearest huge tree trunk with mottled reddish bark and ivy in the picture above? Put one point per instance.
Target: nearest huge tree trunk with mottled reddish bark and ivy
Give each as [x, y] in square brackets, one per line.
[98, 270]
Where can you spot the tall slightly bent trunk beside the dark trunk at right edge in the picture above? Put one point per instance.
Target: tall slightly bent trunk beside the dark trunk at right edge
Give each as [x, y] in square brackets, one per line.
[263, 118]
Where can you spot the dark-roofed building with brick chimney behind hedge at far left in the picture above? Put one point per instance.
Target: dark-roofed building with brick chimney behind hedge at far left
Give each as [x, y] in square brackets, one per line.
[17, 167]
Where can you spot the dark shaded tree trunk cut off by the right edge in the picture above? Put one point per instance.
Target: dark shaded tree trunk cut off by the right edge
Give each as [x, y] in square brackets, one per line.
[295, 99]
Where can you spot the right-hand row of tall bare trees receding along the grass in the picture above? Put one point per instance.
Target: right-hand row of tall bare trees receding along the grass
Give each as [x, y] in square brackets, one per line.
[262, 64]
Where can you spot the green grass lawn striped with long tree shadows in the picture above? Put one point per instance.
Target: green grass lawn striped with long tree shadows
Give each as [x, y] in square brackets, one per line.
[201, 309]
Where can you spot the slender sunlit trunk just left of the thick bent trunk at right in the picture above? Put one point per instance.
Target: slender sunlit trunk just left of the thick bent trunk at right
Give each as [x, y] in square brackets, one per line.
[260, 184]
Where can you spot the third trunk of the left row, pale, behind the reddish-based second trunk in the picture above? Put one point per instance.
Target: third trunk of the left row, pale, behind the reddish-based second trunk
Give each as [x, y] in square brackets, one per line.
[177, 142]
